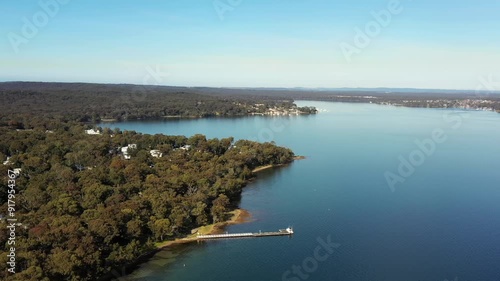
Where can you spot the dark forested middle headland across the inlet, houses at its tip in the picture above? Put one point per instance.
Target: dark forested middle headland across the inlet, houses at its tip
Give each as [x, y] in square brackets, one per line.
[118, 102]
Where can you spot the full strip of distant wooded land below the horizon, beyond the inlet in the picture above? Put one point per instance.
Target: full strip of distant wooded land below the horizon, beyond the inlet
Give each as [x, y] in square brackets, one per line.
[96, 102]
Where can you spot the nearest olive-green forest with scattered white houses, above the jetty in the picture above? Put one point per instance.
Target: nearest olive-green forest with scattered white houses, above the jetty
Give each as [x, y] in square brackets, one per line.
[84, 209]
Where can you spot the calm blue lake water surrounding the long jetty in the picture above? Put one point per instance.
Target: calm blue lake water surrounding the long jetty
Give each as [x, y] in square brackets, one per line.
[441, 223]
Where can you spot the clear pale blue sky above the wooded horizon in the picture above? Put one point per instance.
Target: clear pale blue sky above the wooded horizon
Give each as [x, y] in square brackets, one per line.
[430, 44]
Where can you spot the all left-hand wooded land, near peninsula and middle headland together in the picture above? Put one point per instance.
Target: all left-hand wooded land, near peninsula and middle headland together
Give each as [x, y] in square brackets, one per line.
[90, 200]
